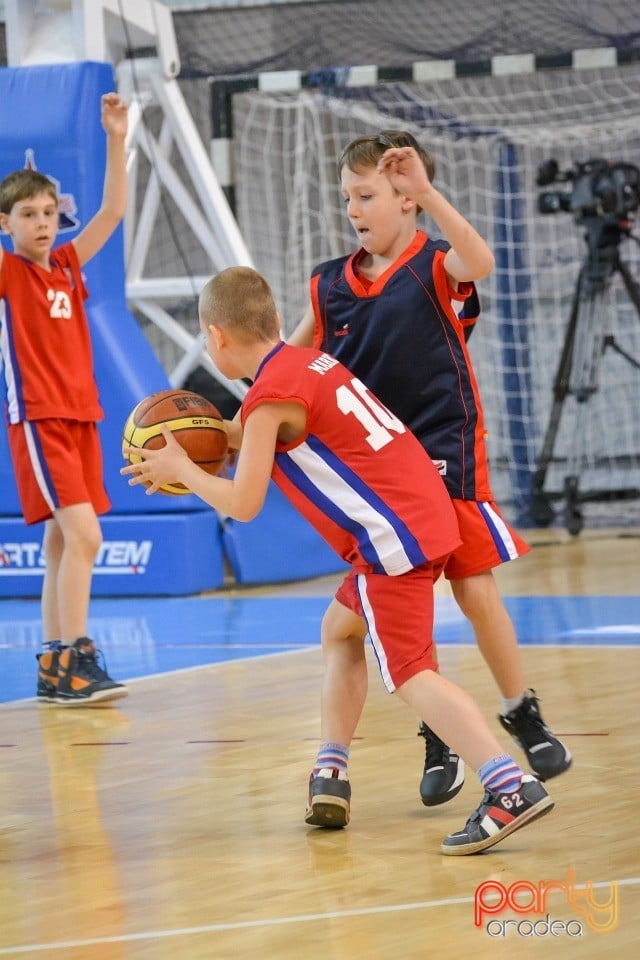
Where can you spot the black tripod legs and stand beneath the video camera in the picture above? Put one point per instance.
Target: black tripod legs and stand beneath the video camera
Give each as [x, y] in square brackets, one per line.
[577, 373]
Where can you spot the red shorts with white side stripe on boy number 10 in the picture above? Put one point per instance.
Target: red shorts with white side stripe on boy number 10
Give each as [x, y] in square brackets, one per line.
[398, 612]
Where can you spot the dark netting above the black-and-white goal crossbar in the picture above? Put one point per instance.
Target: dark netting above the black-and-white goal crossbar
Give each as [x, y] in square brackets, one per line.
[312, 36]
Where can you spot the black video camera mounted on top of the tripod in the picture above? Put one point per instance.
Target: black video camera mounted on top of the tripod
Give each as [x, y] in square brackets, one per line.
[600, 188]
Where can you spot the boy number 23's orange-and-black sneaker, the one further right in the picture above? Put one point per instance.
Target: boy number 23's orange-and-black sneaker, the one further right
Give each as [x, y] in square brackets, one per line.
[81, 679]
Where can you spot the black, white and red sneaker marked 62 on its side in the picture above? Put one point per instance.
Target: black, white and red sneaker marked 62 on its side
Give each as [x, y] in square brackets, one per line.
[498, 815]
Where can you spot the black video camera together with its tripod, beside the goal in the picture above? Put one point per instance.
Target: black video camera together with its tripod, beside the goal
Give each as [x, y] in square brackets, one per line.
[602, 196]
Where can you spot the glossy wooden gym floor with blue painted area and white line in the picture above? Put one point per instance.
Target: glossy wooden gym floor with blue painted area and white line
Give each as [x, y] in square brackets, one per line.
[171, 825]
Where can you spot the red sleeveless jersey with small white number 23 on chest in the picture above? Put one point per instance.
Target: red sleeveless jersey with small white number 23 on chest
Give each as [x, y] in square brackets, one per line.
[44, 339]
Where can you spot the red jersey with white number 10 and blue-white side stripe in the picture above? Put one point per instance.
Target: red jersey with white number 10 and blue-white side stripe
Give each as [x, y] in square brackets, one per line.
[358, 475]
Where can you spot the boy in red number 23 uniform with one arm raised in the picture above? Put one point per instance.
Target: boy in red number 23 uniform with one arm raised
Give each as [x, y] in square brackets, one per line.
[53, 406]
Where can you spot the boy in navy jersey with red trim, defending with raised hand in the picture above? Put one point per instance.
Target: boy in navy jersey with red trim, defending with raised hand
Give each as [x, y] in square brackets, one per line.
[397, 313]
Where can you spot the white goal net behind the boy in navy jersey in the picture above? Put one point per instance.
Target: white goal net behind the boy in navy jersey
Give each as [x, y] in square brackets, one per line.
[489, 136]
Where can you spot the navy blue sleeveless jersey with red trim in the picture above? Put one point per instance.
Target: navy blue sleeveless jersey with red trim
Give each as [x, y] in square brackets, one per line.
[401, 336]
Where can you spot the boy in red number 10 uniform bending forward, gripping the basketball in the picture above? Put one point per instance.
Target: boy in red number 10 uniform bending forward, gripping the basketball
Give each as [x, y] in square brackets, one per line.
[364, 482]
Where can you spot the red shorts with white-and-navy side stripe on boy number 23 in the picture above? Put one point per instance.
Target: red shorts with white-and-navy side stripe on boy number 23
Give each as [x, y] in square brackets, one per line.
[57, 463]
